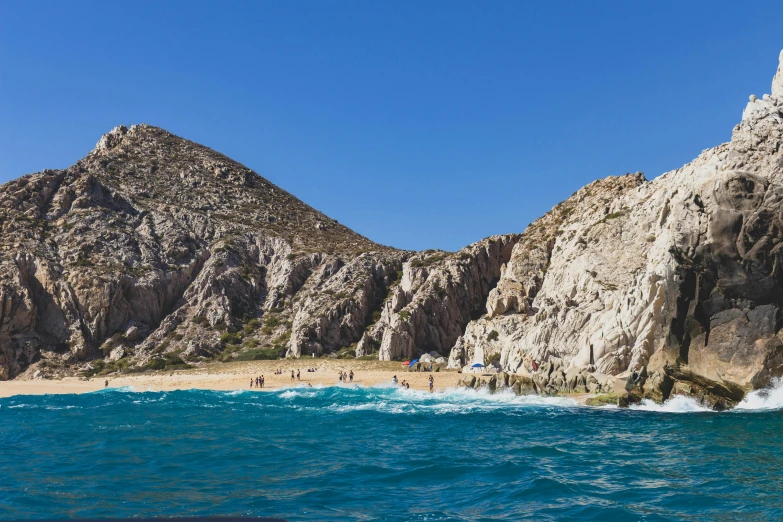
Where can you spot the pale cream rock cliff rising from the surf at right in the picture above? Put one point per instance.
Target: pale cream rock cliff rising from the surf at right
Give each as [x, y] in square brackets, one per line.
[680, 276]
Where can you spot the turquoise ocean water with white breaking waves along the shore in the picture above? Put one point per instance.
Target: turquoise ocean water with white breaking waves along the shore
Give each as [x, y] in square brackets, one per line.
[350, 453]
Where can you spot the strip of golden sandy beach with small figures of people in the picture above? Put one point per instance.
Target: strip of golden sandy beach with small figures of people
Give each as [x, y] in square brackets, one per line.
[234, 376]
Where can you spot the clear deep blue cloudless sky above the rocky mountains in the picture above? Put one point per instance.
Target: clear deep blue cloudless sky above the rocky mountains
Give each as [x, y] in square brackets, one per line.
[420, 124]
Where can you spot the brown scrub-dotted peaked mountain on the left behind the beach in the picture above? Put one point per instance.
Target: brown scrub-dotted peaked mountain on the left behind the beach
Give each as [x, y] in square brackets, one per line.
[153, 246]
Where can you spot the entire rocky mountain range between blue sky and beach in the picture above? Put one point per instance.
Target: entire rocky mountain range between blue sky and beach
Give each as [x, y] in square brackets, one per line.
[154, 251]
